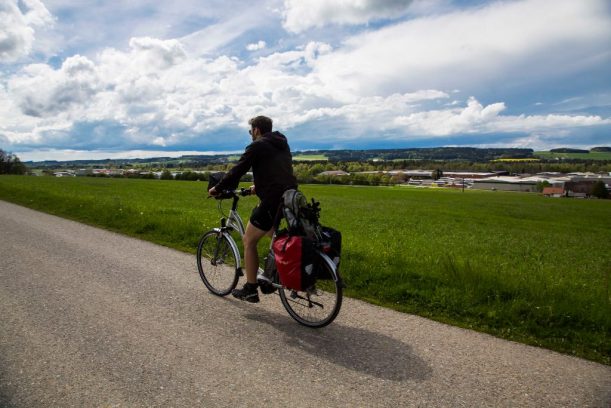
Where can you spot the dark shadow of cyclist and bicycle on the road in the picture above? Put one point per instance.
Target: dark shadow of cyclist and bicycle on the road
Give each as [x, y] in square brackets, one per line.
[361, 350]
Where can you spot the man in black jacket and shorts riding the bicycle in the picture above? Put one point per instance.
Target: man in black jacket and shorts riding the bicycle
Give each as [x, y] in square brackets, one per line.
[270, 158]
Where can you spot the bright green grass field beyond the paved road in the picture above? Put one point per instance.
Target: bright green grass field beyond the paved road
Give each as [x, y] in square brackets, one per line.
[517, 265]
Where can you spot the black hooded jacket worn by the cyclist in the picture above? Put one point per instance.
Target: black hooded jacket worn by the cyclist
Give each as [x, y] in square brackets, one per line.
[272, 167]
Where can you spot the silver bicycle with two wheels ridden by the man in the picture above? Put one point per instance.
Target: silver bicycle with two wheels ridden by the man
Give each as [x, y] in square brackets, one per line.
[219, 265]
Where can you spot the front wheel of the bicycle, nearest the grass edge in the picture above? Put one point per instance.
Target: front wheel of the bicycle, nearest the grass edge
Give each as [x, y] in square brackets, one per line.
[217, 262]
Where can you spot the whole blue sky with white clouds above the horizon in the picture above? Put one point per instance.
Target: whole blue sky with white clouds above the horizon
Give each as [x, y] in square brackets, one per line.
[106, 79]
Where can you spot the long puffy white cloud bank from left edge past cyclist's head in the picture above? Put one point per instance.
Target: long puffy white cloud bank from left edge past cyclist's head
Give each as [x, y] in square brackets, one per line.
[162, 97]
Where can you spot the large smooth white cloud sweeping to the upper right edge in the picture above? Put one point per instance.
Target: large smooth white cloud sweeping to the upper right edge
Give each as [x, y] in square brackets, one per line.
[479, 48]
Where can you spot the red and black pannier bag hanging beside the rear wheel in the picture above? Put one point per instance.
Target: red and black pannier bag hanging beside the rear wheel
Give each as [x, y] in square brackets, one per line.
[295, 256]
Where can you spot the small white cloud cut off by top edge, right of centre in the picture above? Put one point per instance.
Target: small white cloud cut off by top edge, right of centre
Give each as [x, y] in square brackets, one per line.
[301, 15]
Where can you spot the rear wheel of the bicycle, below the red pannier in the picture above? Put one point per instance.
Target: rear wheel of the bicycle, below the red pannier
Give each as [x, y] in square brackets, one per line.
[315, 308]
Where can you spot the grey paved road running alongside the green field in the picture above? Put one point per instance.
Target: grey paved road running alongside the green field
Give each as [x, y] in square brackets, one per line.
[91, 318]
